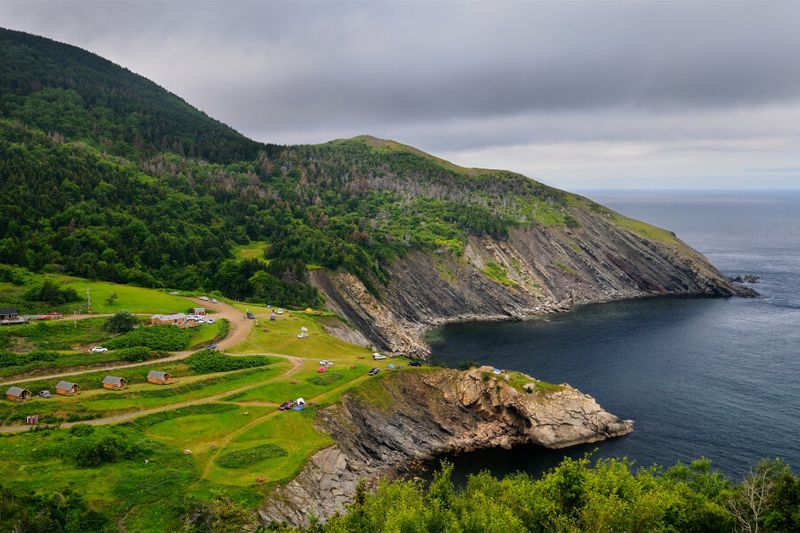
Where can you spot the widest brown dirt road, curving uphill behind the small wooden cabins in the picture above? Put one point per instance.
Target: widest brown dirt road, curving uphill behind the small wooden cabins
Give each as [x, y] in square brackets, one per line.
[238, 332]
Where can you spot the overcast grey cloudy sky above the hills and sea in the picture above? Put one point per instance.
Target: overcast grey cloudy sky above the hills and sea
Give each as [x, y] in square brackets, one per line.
[582, 96]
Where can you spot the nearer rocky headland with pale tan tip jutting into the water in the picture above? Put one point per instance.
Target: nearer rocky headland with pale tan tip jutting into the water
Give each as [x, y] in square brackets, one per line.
[387, 425]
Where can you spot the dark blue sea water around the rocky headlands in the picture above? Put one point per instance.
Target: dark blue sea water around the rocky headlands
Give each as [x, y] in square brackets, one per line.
[718, 378]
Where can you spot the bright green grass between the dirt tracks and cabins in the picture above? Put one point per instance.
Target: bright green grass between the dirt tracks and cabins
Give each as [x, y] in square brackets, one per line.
[239, 441]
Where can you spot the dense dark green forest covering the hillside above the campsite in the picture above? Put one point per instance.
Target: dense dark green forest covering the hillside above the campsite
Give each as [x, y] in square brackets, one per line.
[106, 175]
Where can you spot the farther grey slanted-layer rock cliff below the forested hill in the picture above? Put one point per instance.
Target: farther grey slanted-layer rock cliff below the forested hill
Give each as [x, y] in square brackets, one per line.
[536, 270]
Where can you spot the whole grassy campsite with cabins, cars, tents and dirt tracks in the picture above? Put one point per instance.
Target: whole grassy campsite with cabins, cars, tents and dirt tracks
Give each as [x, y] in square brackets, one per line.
[212, 418]
